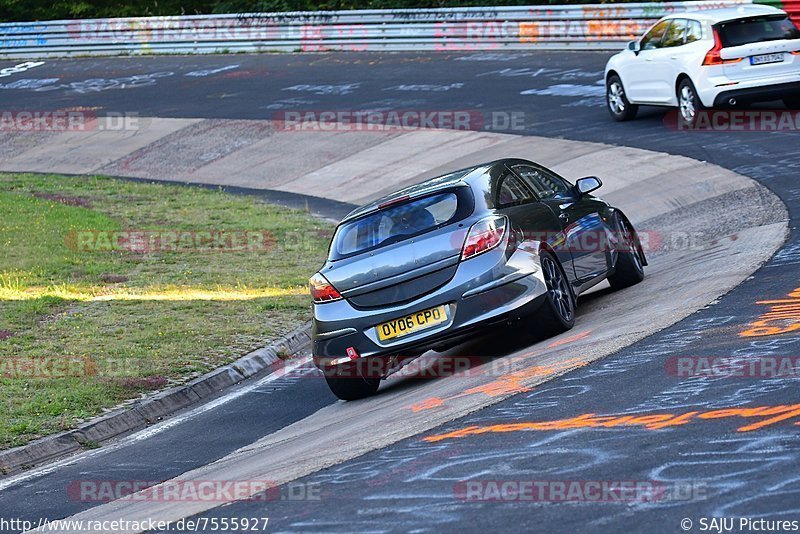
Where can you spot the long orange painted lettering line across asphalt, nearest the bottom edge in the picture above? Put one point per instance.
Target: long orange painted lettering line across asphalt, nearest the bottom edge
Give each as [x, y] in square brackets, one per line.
[770, 415]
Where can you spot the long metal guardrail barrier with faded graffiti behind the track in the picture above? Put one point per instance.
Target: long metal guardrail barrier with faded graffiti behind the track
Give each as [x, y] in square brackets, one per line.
[604, 26]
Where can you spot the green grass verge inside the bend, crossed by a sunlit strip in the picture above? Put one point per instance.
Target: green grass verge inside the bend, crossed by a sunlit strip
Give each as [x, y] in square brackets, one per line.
[84, 326]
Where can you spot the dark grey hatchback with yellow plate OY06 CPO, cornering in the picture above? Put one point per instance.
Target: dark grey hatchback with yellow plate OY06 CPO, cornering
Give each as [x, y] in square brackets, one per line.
[430, 265]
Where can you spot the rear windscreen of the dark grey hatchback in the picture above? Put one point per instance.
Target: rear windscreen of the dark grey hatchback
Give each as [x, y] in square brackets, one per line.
[395, 223]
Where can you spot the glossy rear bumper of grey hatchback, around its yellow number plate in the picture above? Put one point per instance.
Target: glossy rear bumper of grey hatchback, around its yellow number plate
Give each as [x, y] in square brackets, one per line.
[471, 301]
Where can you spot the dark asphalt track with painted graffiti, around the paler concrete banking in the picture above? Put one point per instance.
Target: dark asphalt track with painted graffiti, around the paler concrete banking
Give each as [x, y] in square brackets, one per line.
[603, 422]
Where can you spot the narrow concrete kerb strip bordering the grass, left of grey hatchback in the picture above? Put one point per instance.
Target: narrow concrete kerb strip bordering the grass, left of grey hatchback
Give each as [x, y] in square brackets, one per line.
[153, 408]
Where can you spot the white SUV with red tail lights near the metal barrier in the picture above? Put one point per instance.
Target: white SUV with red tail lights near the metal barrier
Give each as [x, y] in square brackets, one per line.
[713, 58]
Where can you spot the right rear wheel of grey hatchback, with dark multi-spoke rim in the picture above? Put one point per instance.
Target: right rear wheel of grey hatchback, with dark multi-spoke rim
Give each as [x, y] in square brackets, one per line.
[557, 312]
